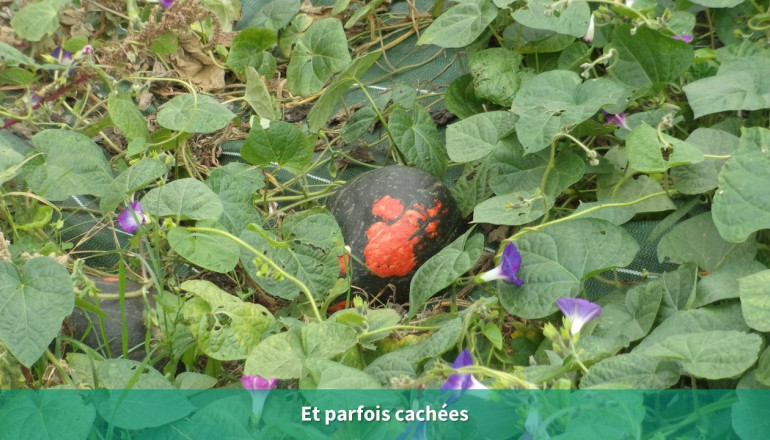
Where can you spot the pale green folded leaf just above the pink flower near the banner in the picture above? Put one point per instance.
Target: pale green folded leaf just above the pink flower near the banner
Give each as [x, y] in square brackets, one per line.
[283, 355]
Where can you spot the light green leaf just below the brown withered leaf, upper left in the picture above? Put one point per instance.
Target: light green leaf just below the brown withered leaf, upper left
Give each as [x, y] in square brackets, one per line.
[194, 114]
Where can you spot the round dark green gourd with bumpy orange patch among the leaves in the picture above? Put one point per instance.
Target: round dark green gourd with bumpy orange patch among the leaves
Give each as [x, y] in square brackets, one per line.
[394, 219]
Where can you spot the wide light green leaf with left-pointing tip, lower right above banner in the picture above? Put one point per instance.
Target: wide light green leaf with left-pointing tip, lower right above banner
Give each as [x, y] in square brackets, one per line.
[715, 354]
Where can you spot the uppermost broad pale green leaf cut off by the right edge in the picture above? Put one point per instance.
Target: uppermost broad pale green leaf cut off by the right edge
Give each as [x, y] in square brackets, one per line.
[738, 85]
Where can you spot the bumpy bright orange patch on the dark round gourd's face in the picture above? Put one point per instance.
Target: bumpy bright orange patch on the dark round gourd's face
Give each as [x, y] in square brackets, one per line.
[392, 242]
